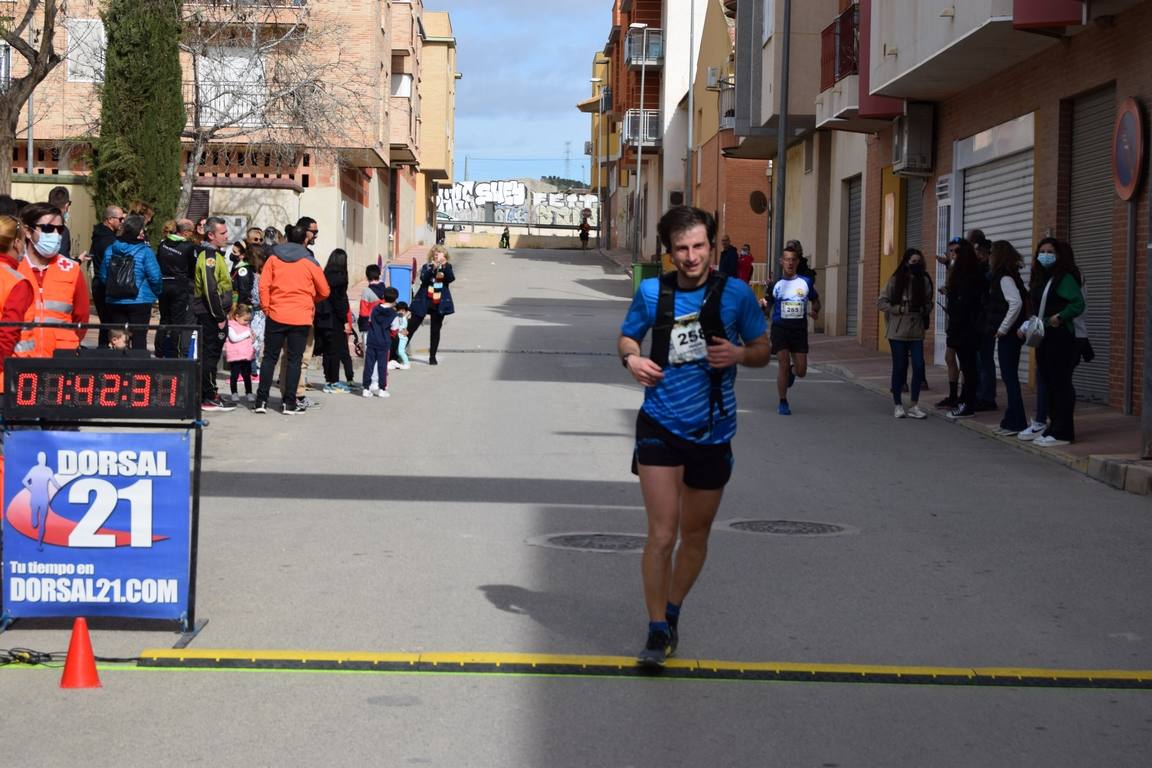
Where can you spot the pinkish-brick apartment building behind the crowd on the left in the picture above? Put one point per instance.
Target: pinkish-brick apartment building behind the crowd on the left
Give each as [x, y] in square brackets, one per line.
[260, 172]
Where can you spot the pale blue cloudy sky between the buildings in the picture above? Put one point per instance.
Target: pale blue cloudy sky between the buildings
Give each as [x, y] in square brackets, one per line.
[526, 64]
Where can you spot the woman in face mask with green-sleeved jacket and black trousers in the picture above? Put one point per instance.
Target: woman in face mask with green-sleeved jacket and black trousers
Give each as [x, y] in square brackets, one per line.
[1056, 285]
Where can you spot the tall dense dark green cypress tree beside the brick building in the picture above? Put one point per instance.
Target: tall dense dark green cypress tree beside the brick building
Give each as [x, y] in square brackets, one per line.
[138, 153]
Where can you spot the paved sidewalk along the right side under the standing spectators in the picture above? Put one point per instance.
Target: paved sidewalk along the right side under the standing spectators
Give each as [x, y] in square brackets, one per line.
[1108, 443]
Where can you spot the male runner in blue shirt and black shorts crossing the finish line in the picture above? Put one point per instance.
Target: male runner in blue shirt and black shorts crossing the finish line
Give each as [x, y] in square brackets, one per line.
[685, 429]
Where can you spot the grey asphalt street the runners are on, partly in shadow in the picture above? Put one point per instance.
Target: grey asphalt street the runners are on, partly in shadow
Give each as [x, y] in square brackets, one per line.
[413, 524]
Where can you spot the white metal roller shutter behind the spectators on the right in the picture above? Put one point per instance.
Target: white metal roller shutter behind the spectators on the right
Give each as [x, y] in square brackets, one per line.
[998, 200]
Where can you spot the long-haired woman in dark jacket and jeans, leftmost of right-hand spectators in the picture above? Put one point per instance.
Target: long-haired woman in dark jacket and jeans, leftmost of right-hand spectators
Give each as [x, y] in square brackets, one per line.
[907, 303]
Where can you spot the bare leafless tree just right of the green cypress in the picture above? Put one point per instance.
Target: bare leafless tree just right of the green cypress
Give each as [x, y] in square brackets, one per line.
[268, 81]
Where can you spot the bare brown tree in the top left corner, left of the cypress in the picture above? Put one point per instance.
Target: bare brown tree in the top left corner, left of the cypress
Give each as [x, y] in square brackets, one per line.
[41, 57]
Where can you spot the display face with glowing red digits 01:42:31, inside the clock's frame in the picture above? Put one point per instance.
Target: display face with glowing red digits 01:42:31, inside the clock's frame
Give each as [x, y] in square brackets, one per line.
[98, 390]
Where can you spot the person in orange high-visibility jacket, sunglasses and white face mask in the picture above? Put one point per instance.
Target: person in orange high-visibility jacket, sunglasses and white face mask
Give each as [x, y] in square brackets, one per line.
[59, 293]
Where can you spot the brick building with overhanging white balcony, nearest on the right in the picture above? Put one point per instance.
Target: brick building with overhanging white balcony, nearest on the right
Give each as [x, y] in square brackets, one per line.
[1024, 119]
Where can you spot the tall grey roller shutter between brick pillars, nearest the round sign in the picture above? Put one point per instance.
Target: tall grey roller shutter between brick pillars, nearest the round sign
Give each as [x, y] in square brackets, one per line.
[1090, 229]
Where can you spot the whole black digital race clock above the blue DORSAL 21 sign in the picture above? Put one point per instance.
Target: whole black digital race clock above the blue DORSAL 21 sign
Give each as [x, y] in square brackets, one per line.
[100, 387]
